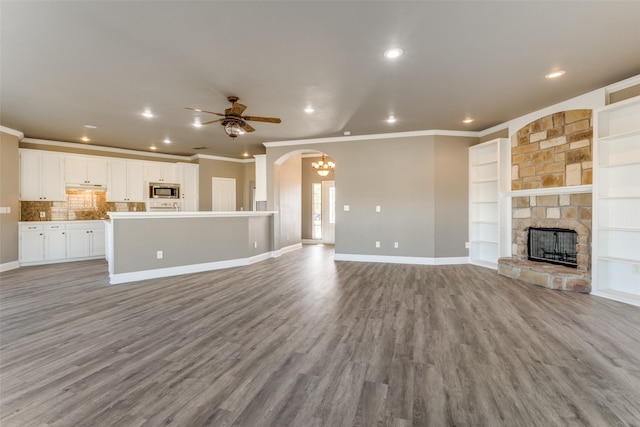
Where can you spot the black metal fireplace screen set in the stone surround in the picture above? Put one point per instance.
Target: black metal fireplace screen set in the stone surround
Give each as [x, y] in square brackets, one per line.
[554, 245]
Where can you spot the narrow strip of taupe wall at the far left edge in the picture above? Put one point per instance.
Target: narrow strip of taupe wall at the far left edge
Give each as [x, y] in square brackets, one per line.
[9, 193]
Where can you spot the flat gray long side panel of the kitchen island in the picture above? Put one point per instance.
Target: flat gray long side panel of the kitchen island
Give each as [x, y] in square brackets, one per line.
[183, 241]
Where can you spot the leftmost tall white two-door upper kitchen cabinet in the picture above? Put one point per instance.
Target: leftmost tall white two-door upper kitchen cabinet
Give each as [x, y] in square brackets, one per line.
[41, 176]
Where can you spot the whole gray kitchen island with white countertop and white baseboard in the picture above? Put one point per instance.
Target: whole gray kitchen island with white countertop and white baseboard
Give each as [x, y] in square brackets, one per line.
[146, 245]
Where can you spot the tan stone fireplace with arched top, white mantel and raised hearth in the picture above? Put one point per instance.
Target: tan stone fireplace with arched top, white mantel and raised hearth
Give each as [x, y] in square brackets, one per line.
[551, 177]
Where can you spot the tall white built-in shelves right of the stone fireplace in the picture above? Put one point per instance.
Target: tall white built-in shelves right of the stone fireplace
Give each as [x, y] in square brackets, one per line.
[616, 238]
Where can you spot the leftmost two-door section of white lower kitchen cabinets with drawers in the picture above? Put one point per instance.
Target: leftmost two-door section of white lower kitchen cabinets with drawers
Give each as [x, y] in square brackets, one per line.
[42, 242]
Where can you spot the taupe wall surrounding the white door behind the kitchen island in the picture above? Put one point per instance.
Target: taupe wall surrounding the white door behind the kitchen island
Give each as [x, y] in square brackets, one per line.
[210, 168]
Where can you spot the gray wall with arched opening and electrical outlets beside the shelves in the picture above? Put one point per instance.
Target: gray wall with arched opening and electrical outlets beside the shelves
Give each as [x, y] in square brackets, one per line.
[420, 183]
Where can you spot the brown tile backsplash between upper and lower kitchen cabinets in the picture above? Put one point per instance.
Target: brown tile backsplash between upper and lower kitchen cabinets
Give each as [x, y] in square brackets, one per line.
[79, 205]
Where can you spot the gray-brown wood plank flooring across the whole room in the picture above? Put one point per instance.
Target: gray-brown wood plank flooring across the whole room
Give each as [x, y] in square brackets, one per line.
[302, 340]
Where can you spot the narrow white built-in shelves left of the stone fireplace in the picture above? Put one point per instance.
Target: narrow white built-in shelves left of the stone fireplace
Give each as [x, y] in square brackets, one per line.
[485, 175]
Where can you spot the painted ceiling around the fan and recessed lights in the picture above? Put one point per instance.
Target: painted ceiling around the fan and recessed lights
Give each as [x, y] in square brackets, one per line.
[68, 64]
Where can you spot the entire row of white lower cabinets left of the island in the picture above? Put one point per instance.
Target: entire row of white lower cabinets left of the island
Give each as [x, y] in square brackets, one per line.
[48, 242]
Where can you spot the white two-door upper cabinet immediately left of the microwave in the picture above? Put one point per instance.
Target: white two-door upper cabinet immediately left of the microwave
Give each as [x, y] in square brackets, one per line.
[126, 181]
